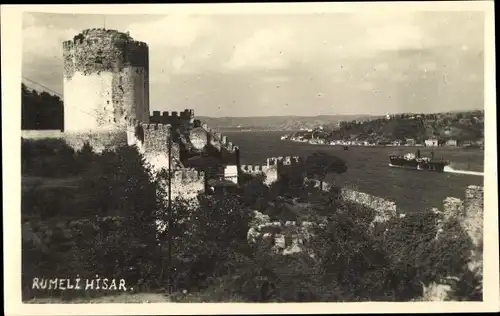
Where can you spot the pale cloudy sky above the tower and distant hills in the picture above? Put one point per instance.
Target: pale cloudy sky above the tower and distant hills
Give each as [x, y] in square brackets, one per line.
[307, 64]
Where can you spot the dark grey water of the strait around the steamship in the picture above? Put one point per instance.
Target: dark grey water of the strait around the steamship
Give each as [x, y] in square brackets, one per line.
[368, 169]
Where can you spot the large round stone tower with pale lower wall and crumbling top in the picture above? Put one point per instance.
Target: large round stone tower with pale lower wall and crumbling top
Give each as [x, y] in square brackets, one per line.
[106, 81]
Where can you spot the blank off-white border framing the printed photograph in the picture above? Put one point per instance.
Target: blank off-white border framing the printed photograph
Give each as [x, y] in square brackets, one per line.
[11, 77]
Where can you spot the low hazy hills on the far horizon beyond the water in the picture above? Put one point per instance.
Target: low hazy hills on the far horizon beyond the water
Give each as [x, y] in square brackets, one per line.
[280, 123]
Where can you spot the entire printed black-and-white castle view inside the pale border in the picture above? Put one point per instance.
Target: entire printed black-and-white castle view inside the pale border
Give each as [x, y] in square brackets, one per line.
[251, 158]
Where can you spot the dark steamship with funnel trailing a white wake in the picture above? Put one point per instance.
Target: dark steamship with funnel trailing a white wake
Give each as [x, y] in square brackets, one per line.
[416, 162]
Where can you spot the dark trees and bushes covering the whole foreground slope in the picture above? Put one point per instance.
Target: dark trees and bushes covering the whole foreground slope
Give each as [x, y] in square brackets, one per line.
[109, 204]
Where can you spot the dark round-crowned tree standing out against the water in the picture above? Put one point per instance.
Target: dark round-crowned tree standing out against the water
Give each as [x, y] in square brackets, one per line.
[319, 164]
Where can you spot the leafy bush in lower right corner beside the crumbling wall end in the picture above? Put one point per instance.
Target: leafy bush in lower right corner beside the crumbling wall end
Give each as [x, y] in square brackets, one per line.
[417, 256]
